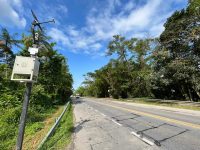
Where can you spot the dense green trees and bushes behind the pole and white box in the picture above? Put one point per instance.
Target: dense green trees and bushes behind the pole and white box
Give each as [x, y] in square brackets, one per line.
[54, 86]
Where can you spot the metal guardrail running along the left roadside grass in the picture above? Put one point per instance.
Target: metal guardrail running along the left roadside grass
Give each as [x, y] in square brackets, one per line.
[54, 126]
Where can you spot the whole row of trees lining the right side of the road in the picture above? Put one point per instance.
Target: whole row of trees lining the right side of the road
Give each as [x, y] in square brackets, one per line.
[167, 67]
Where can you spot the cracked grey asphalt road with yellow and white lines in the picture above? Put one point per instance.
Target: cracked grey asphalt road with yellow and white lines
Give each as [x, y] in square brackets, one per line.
[106, 125]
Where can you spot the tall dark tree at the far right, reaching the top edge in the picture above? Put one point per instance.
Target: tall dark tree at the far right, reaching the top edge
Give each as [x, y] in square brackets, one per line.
[178, 56]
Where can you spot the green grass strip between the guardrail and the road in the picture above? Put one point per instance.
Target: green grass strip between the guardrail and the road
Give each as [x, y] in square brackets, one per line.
[62, 134]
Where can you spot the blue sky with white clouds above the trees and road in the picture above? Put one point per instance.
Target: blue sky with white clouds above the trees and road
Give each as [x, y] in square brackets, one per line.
[84, 28]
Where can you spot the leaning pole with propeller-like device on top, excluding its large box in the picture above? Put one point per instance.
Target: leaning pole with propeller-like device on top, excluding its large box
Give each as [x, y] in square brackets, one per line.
[33, 51]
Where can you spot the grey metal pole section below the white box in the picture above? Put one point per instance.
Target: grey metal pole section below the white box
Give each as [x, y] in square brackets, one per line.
[23, 116]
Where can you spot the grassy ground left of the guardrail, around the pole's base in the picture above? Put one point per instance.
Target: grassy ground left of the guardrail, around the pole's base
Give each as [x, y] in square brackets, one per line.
[37, 125]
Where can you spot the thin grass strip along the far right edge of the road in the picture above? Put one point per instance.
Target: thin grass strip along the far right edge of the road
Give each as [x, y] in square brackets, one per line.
[160, 103]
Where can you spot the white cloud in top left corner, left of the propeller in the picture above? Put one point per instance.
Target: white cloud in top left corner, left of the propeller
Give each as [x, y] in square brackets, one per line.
[10, 13]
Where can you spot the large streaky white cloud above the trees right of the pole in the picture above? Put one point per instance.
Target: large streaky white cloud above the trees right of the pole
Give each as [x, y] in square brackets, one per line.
[133, 20]
